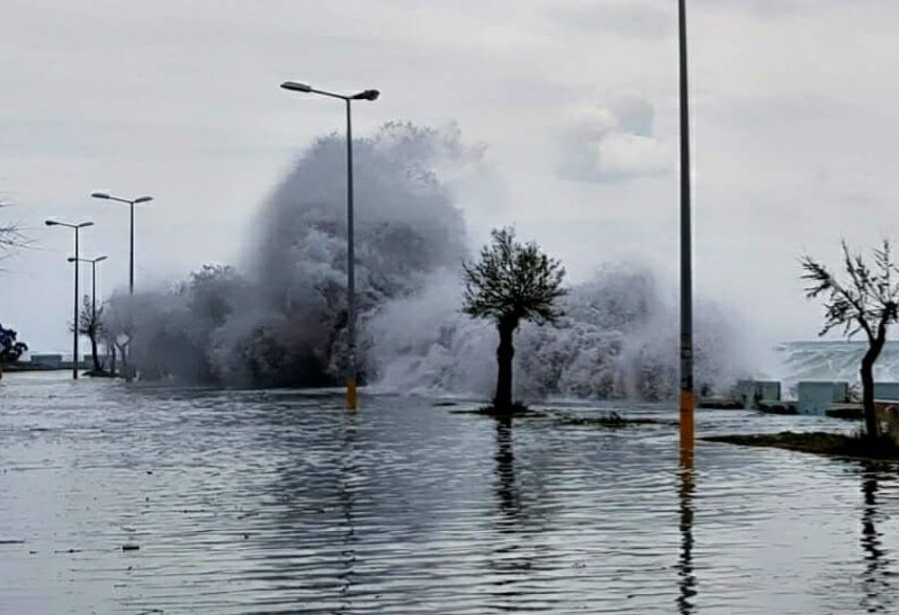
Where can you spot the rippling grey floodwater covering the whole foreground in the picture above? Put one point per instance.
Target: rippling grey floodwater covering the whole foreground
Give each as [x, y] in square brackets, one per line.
[280, 502]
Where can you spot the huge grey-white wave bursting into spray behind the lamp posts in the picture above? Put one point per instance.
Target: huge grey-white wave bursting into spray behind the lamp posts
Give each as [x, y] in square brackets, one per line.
[280, 319]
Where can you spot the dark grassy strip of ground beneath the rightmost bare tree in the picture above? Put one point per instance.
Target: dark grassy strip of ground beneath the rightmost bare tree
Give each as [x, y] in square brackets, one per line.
[819, 442]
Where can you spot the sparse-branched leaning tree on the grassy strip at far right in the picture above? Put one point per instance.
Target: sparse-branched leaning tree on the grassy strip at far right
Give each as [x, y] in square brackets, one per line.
[866, 302]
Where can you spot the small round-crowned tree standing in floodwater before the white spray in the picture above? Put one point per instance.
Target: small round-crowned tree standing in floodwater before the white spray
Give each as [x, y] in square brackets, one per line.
[511, 282]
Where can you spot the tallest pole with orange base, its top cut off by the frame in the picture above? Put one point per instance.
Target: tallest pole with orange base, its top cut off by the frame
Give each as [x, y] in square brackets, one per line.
[687, 400]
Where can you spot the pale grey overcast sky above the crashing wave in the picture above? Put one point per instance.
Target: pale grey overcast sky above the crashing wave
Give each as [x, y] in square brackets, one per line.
[794, 121]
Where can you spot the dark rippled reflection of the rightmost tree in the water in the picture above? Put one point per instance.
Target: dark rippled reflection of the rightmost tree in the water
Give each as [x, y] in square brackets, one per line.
[876, 577]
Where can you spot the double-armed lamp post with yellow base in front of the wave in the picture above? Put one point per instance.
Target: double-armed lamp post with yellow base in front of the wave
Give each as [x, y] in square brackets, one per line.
[370, 95]
